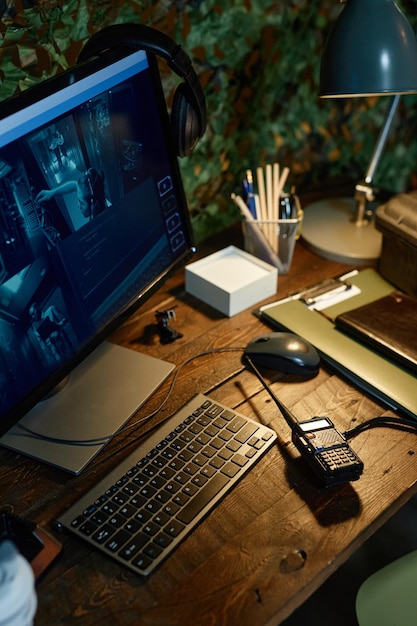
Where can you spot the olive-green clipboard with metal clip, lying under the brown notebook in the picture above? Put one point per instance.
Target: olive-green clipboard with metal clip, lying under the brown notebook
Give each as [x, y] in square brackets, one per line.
[372, 372]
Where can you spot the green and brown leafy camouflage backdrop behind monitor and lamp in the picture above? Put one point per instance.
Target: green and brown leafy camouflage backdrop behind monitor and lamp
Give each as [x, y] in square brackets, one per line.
[258, 61]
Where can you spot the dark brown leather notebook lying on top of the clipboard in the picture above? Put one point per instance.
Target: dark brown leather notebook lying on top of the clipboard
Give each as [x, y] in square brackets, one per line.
[388, 325]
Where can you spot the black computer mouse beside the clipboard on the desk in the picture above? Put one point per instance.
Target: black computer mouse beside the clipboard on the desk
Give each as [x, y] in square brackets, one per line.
[285, 352]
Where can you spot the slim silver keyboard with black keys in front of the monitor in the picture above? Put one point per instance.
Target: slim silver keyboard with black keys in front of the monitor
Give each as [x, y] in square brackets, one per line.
[151, 501]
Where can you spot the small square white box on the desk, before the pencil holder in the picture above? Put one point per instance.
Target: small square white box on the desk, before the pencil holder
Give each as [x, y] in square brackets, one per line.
[231, 280]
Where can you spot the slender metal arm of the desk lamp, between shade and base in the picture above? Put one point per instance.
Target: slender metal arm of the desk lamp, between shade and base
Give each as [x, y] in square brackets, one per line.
[364, 192]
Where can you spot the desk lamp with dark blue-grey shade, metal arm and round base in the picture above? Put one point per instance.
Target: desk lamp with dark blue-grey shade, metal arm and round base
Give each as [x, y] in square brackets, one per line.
[372, 50]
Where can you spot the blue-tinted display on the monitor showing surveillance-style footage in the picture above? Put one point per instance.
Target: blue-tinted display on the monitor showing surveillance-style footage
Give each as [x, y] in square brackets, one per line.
[91, 215]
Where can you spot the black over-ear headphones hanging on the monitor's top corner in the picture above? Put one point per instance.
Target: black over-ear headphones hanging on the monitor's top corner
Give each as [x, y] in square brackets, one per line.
[188, 115]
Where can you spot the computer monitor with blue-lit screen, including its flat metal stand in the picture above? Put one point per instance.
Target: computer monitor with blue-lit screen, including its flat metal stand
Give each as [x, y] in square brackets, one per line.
[93, 217]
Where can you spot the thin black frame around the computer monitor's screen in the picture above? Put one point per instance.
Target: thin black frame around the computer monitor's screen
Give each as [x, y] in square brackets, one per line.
[40, 92]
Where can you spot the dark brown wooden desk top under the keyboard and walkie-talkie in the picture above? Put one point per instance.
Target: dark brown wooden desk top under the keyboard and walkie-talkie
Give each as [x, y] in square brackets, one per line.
[242, 565]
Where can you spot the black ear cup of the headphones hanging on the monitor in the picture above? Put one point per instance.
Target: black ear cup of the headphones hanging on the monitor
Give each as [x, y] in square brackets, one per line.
[185, 122]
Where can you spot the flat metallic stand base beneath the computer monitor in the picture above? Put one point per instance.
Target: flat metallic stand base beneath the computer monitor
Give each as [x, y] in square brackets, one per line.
[102, 393]
